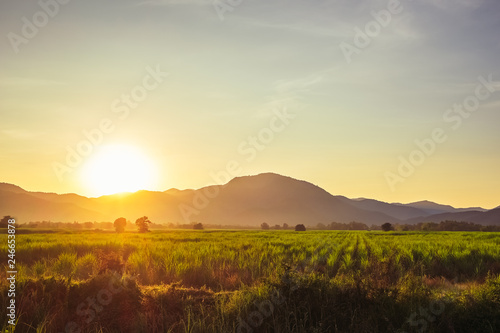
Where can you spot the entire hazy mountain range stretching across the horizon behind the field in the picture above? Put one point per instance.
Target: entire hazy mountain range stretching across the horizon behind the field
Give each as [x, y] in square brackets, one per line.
[244, 201]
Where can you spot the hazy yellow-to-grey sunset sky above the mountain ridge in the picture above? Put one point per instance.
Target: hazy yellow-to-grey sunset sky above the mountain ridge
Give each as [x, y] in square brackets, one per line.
[392, 100]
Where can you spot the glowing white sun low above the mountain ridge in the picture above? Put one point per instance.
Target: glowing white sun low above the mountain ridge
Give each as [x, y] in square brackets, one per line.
[118, 168]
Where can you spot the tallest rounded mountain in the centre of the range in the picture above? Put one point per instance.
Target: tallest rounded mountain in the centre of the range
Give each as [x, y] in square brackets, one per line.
[277, 199]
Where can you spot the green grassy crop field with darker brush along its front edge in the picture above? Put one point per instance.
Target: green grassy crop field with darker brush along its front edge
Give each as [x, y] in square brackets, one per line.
[256, 281]
